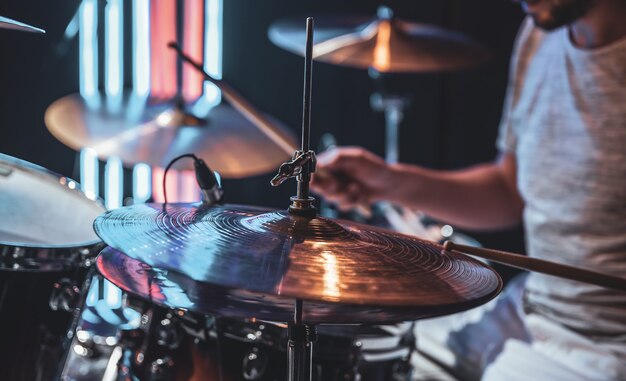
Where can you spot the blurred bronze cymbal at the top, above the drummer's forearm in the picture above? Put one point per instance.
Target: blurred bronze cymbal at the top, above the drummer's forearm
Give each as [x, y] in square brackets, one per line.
[383, 43]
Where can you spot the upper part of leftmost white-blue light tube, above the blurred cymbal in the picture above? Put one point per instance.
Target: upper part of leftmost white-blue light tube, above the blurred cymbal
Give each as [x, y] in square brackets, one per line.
[88, 49]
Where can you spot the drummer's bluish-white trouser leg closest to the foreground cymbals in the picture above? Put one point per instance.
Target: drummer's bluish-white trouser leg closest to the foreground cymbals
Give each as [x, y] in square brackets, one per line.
[461, 346]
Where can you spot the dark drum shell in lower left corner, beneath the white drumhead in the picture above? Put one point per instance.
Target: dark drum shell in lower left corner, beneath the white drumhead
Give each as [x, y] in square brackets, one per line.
[34, 336]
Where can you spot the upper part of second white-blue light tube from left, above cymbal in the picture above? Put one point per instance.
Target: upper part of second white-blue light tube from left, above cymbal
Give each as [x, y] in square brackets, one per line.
[114, 47]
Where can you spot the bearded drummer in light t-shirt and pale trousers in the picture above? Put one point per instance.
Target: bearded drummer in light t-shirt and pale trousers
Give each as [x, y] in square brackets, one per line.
[562, 171]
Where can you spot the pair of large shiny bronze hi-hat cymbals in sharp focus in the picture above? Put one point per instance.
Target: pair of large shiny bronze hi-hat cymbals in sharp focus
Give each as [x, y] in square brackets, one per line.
[267, 259]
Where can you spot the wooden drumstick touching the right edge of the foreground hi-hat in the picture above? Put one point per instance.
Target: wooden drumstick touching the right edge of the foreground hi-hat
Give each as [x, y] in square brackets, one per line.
[540, 265]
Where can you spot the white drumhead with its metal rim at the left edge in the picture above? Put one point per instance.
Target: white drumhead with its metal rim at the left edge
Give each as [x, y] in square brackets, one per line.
[45, 220]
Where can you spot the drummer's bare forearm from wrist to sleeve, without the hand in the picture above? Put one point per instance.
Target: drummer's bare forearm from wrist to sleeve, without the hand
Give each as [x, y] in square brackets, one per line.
[480, 197]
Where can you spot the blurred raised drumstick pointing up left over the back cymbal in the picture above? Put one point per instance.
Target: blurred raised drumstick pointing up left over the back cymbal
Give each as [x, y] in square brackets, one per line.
[242, 105]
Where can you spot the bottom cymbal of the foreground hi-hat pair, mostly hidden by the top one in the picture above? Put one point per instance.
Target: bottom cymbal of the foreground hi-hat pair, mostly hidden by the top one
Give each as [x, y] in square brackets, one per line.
[172, 290]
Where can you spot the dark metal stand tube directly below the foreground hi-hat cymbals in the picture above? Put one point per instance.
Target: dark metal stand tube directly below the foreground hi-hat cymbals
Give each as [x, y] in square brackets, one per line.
[300, 347]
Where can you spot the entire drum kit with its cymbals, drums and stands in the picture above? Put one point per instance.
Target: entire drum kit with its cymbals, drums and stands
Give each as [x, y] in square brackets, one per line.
[217, 291]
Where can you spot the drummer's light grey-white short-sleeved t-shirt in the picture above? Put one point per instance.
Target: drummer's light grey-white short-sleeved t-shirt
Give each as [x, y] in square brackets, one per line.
[565, 121]
